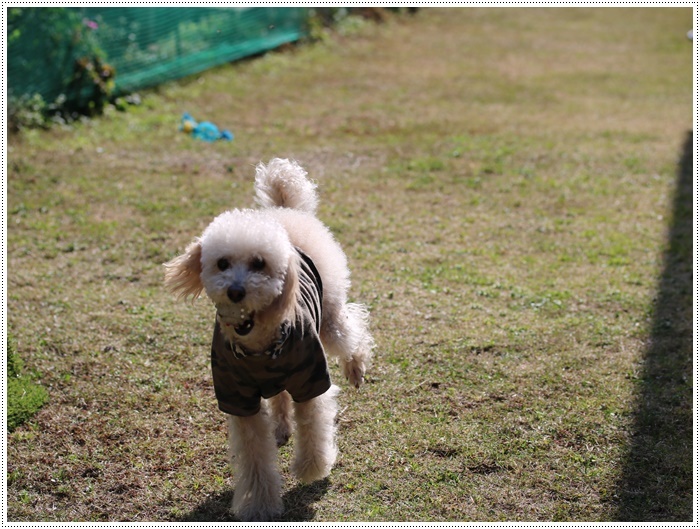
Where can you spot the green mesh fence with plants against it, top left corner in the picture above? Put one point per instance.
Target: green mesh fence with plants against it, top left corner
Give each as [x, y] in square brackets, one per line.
[82, 53]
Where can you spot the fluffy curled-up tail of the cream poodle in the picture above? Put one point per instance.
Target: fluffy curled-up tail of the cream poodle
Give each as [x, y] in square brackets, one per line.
[284, 184]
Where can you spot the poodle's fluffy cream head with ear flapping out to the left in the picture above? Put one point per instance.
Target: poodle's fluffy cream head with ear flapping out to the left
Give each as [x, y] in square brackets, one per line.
[241, 261]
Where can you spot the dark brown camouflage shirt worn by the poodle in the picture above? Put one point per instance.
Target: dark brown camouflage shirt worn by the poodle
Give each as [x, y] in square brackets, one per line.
[295, 363]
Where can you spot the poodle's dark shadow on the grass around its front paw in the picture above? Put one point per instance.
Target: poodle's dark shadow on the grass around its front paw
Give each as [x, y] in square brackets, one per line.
[298, 505]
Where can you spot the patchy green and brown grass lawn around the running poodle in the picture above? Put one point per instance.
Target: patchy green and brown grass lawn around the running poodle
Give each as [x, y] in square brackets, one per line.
[513, 188]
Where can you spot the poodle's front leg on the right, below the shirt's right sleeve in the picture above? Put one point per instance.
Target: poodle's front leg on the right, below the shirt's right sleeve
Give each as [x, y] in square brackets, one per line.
[314, 446]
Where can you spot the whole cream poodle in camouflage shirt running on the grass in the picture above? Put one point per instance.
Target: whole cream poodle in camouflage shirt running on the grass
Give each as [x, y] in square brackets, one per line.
[279, 282]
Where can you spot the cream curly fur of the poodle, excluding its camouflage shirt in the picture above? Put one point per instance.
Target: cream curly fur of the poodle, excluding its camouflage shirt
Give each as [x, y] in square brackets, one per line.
[252, 251]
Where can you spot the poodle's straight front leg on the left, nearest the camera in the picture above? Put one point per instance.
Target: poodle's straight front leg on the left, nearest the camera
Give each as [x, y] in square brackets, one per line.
[253, 450]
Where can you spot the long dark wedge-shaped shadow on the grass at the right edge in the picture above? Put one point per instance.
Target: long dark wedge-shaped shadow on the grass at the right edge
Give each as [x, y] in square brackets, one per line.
[657, 480]
